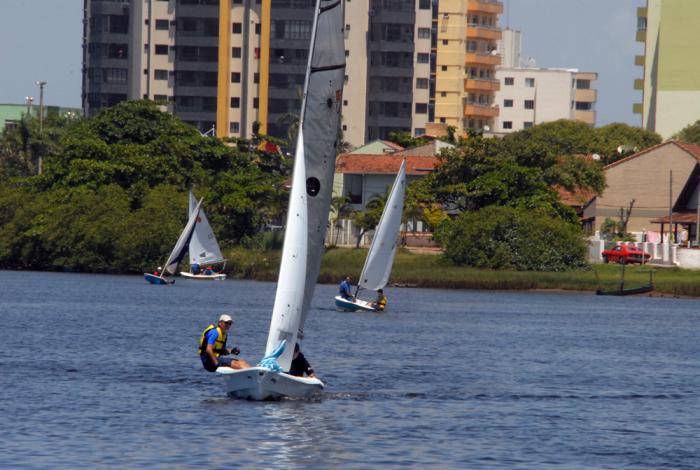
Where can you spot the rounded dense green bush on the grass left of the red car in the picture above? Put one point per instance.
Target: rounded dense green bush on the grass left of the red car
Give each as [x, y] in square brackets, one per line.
[510, 238]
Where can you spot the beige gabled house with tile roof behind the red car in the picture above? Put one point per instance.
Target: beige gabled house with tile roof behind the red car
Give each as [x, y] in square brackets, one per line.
[663, 182]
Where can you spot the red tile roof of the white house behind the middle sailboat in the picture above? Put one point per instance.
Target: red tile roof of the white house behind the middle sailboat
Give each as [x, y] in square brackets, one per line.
[385, 164]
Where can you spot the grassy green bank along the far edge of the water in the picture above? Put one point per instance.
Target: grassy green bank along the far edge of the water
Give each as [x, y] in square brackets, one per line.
[424, 270]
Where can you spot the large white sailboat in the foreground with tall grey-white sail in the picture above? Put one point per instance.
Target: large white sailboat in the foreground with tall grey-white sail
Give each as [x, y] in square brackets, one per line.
[307, 217]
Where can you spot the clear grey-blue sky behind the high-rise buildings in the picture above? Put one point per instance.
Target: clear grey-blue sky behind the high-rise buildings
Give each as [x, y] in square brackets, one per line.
[42, 40]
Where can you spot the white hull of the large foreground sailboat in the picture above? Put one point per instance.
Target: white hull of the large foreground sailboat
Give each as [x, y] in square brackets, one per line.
[260, 383]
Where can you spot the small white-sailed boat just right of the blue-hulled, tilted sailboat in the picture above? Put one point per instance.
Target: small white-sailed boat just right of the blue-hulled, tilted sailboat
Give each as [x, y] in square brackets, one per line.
[204, 250]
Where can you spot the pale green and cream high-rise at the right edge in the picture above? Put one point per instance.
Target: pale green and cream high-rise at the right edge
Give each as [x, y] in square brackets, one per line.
[671, 76]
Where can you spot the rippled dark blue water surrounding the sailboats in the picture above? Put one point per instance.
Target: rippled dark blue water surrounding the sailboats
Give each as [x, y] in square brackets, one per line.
[102, 371]
